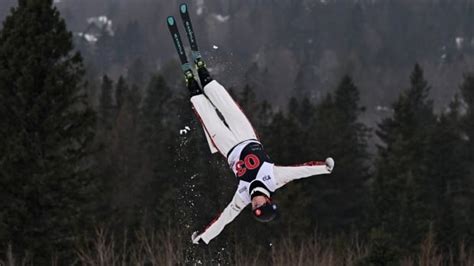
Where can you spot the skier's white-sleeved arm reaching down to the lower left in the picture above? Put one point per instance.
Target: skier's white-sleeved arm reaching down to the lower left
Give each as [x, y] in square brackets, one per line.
[218, 224]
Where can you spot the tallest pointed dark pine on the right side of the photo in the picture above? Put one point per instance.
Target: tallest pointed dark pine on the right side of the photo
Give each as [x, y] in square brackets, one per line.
[401, 187]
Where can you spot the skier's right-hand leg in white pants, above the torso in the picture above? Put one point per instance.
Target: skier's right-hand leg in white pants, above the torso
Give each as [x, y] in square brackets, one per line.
[233, 115]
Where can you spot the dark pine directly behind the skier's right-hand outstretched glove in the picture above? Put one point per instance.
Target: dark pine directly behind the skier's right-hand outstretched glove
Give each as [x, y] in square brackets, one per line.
[336, 131]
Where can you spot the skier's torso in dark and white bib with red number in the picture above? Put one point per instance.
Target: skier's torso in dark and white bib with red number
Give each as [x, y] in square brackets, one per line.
[250, 163]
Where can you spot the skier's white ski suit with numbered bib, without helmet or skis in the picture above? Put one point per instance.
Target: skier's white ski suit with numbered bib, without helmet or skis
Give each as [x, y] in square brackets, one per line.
[236, 139]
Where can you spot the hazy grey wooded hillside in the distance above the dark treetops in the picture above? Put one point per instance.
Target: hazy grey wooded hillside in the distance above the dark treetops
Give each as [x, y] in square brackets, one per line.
[293, 47]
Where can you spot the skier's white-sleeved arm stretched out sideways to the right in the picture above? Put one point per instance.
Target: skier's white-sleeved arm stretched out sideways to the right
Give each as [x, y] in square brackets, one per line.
[286, 174]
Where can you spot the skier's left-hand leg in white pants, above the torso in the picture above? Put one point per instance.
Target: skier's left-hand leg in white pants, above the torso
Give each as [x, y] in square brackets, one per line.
[221, 136]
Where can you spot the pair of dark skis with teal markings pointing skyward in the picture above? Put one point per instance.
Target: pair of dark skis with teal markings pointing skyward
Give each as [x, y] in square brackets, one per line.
[196, 55]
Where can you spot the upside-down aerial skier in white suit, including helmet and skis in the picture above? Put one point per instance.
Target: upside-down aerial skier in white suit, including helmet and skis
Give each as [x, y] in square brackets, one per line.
[234, 137]
